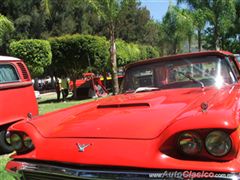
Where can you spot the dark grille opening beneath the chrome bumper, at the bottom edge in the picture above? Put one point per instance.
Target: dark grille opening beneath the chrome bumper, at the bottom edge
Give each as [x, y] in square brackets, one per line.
[42, 176]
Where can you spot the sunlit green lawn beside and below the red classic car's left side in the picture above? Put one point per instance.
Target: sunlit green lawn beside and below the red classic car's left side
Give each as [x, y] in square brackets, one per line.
[47, 103]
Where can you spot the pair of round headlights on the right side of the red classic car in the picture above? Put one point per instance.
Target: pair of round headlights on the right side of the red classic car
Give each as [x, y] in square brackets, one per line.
[217, 143]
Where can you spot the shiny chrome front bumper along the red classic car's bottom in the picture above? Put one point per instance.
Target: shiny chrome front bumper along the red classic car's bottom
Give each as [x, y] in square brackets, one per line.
[20, 169]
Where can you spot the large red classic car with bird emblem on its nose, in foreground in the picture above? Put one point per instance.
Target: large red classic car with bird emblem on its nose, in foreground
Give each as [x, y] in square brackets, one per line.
[177, 117]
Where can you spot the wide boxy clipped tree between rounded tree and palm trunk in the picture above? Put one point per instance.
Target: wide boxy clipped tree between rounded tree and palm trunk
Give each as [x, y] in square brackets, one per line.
[75, 54]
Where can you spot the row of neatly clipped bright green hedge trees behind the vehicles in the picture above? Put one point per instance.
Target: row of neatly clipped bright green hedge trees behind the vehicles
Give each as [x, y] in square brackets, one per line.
[73, 54]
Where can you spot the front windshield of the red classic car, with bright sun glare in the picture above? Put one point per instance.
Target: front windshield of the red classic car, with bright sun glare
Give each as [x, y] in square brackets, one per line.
[179, 73]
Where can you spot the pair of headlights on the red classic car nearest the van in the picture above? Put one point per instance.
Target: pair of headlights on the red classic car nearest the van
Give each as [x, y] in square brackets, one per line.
[21, 142]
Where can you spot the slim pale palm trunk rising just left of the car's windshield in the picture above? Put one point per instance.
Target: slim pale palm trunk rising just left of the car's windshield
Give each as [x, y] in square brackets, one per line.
[113, 60]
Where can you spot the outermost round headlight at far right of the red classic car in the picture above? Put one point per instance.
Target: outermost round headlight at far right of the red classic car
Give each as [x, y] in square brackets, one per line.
[218, 143]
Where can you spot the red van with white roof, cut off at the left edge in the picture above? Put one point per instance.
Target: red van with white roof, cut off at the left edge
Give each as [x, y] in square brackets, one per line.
[16, 96]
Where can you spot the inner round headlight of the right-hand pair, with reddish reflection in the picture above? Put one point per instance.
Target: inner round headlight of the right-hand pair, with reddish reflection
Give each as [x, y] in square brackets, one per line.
[190, 143]
